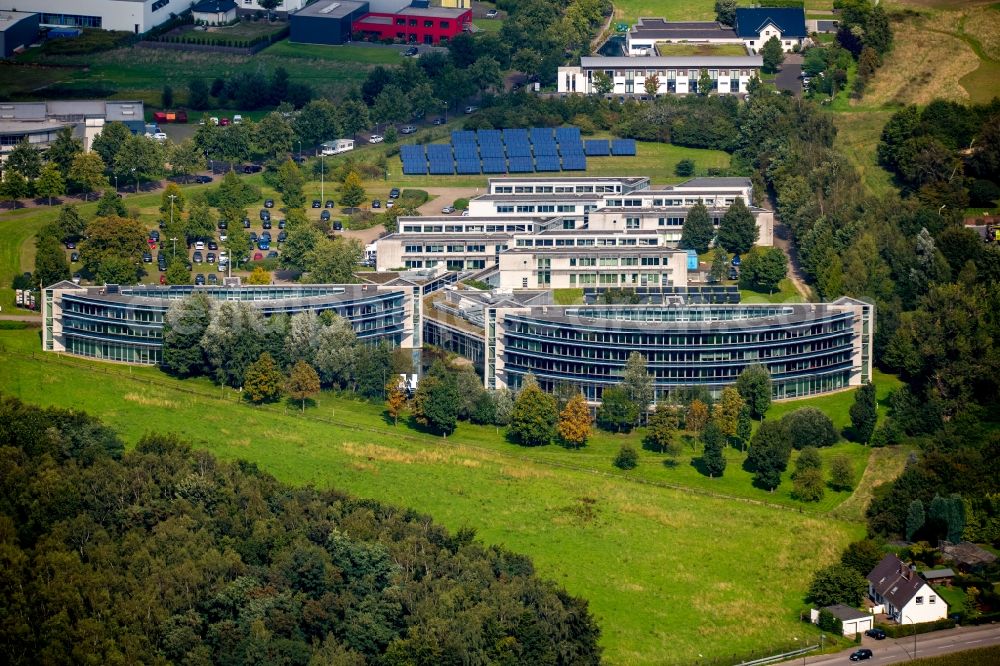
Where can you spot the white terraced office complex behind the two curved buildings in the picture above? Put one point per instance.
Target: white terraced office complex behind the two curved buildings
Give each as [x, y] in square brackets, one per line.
[569, 216]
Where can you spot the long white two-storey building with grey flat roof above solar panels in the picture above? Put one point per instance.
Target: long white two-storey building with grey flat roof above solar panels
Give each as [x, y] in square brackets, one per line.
[676, 75]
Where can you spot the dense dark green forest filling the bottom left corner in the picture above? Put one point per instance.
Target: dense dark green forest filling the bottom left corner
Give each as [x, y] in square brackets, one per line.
[164, 554]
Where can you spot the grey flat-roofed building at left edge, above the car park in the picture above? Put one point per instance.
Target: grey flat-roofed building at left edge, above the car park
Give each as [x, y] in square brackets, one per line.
[40, 122]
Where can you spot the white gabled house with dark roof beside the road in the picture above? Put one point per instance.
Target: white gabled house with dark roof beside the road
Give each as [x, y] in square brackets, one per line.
[903, 594]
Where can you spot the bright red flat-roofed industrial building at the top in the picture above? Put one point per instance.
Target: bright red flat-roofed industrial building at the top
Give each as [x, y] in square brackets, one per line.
[415, 25]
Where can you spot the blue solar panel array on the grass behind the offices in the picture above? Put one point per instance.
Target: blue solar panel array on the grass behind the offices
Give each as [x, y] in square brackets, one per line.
[510, 151]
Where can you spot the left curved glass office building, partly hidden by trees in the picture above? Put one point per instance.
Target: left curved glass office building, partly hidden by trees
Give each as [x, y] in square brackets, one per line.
[125, 324]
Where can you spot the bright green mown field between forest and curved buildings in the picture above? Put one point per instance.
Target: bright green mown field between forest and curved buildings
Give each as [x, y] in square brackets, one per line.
[671, 574]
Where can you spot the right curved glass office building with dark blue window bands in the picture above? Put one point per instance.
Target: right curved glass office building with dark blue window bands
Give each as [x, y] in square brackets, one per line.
[808, 348]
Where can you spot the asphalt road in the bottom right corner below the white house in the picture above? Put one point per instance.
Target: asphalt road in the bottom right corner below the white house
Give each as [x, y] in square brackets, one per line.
[900, 650]
